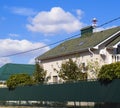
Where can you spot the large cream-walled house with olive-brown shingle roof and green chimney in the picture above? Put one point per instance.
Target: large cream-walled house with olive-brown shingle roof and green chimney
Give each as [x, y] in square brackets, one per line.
[103, 46]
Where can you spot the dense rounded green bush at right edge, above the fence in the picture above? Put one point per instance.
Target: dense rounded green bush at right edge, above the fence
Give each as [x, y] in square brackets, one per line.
[109, 72]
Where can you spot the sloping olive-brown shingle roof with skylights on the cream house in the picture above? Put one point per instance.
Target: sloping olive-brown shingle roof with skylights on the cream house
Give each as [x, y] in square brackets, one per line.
[79, 44]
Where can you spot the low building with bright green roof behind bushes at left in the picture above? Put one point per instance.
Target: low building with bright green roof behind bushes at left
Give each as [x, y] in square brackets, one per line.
[10, 68]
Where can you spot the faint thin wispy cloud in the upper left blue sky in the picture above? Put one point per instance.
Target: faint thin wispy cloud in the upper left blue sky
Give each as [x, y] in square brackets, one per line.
[23, 11]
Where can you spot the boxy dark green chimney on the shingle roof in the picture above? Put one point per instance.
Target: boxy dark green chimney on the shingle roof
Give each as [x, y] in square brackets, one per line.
[86, 31]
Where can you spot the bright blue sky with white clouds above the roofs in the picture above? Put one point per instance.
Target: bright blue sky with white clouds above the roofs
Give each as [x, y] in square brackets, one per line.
[29, 24]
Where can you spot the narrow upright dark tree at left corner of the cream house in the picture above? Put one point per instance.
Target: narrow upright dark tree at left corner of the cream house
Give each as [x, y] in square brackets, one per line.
[39, 74]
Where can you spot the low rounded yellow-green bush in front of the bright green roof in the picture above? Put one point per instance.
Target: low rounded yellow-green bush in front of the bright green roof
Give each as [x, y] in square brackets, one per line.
[19, 80]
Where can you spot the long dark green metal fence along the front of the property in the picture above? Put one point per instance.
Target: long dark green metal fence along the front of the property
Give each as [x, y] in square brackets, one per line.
[92, 91]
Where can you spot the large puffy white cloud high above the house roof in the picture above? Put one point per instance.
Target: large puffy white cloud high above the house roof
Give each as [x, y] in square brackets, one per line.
[54, 21]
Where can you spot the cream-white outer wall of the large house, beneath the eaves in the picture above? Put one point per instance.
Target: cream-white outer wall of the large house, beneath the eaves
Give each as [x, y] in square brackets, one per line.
[83, 57]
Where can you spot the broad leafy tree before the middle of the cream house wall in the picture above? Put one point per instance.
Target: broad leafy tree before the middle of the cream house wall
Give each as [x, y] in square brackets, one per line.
[70, 71]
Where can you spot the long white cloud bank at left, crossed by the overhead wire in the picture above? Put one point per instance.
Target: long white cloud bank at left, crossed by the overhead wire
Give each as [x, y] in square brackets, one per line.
[9, 46]
